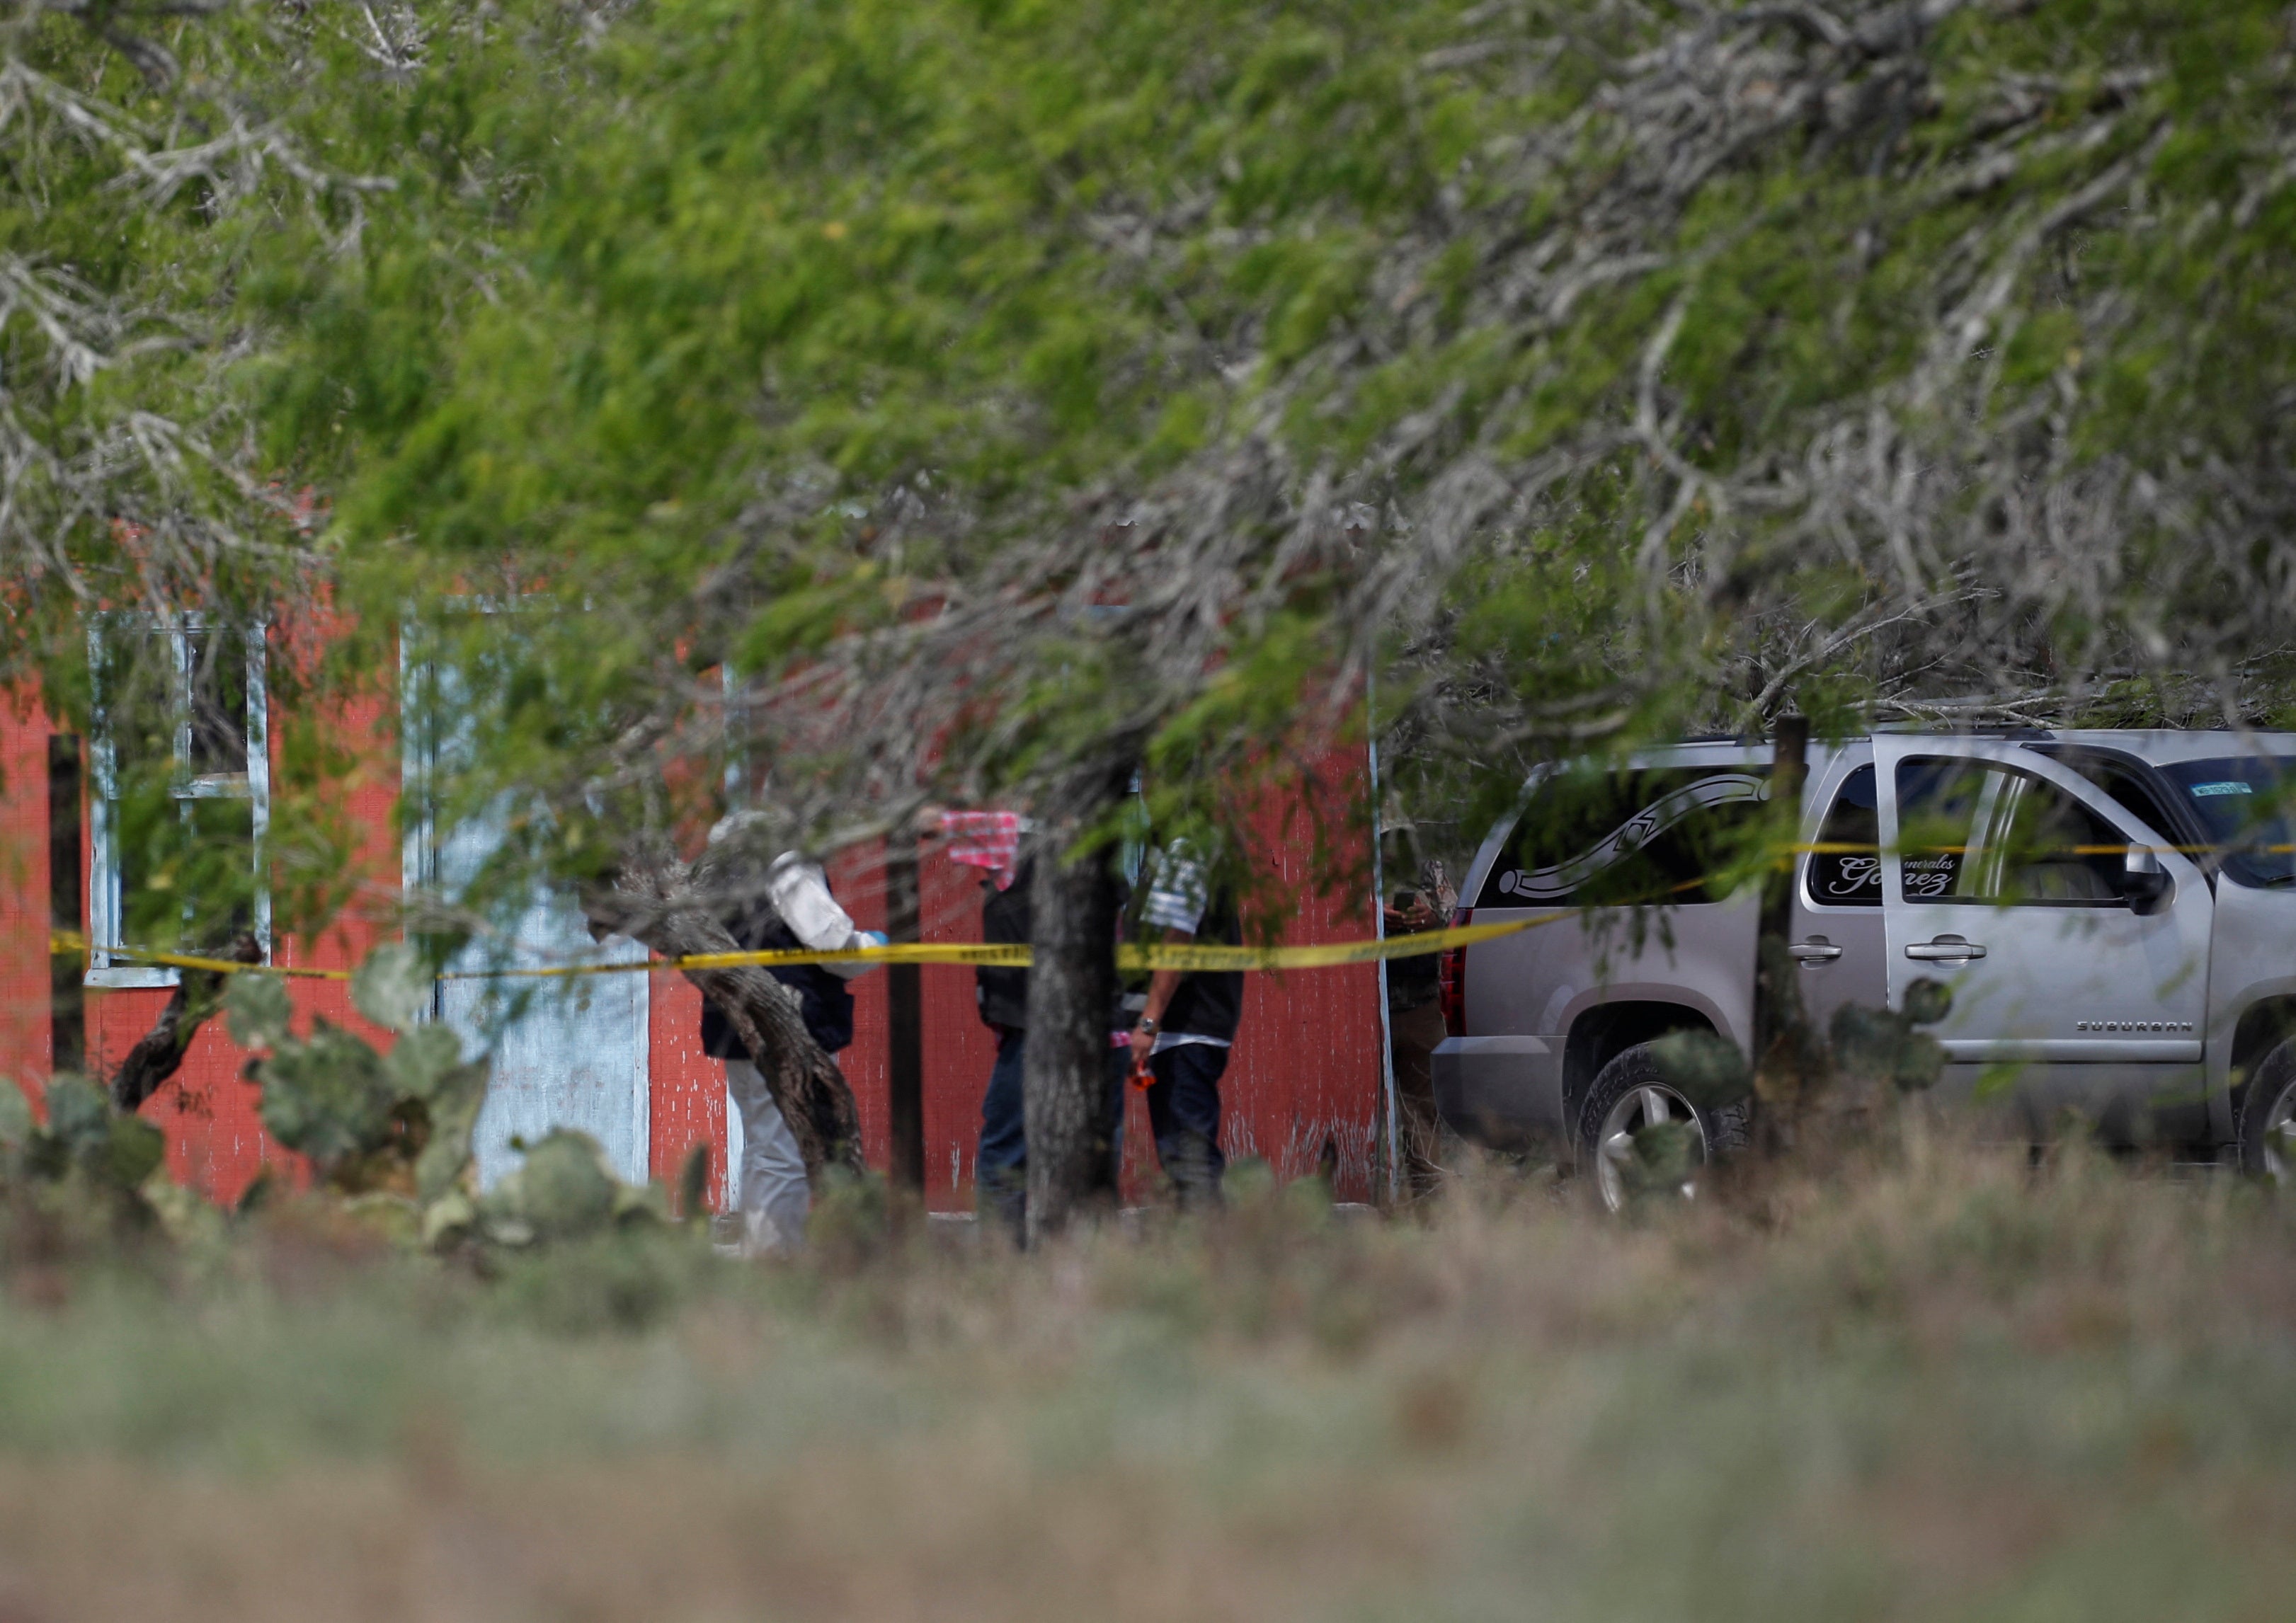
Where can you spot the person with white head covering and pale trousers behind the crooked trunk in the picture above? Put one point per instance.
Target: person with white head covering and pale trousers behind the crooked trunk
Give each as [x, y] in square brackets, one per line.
[796, 913]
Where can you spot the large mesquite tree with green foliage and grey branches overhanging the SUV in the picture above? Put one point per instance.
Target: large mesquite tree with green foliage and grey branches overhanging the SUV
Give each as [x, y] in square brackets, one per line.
[929, 401]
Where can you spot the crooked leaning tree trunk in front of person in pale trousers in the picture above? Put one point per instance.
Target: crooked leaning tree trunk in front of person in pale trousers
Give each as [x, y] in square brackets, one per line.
[669, 908]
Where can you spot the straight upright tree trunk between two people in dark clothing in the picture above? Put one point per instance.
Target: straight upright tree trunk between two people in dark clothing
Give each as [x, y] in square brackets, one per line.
[1073, 917]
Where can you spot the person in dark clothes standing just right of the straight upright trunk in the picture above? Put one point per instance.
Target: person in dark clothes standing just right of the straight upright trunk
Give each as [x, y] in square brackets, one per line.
[1188, 1027]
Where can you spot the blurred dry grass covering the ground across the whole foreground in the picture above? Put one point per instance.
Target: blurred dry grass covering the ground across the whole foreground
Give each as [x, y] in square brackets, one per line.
[1939, 1385]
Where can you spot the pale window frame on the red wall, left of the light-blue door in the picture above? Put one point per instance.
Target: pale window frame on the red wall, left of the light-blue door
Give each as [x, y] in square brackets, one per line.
[107, 906]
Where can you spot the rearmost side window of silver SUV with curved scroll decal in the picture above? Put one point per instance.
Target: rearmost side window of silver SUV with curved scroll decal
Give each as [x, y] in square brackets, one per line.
[1622, 839]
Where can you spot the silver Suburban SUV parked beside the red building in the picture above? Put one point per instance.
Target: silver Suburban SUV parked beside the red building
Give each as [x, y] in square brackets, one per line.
[2113, 913]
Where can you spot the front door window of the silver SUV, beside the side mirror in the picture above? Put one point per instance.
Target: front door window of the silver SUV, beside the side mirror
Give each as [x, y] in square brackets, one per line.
[1980, 832]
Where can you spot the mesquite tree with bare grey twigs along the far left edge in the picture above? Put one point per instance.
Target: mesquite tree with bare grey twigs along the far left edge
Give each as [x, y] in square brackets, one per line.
[143, 148]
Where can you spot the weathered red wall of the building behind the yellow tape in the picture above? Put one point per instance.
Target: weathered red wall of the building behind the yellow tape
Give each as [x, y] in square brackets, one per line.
[1305, 1069]
